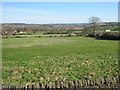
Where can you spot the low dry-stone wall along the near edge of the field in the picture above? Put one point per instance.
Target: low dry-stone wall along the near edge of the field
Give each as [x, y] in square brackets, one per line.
[106, 82]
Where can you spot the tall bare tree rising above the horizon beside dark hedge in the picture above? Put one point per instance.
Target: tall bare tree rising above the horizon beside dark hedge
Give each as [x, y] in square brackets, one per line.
[93, 21]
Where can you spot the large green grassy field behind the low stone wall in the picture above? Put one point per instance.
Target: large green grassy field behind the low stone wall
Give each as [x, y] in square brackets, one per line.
[51, 59]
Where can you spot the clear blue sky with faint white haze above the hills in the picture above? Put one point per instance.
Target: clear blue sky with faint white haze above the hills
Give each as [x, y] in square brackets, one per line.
[58, 12]
